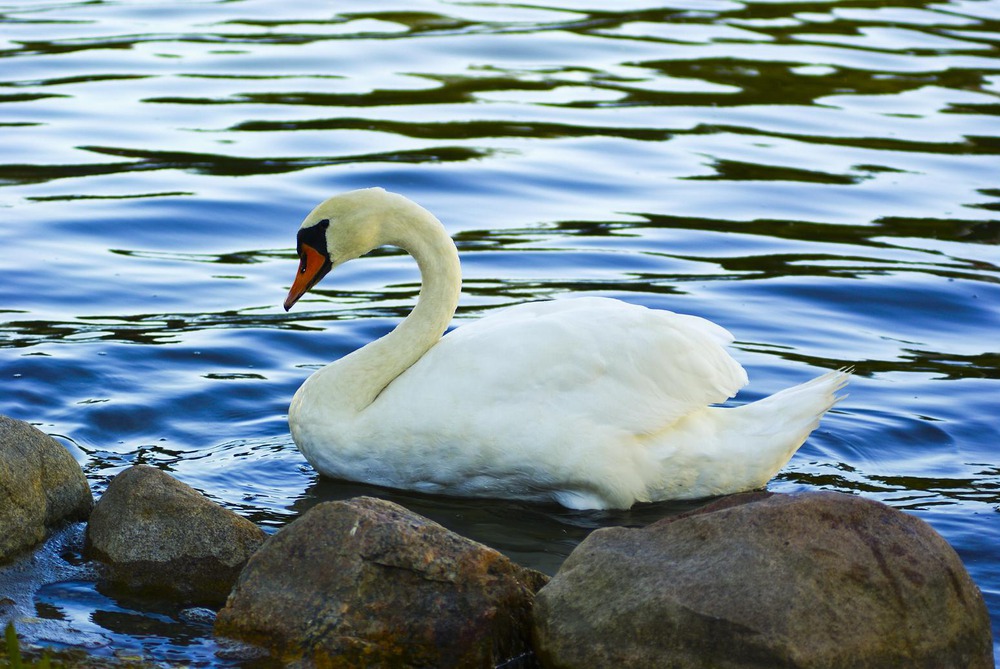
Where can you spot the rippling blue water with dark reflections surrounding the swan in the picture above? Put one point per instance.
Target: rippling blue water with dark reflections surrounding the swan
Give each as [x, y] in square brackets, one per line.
[820, 178]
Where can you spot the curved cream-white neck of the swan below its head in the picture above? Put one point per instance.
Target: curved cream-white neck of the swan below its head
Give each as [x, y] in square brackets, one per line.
[355, 381]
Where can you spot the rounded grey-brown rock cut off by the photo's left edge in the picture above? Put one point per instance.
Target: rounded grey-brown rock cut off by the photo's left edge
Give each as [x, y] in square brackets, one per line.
[41, 485]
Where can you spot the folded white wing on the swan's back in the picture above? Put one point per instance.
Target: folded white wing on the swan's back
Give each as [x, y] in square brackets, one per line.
[592, 359]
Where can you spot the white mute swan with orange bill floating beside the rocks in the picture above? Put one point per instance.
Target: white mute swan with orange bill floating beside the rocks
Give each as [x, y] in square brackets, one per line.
[591, 402]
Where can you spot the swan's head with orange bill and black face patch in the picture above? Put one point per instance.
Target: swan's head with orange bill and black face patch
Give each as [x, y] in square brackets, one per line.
[345, 227]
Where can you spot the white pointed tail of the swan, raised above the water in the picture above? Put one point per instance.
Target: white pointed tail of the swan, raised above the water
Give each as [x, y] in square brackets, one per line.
[742, 448]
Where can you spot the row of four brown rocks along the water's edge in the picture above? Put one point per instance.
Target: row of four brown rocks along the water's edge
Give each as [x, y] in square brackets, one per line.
[816, 579]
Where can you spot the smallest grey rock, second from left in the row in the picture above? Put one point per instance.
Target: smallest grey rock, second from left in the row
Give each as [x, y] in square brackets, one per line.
[152, 531]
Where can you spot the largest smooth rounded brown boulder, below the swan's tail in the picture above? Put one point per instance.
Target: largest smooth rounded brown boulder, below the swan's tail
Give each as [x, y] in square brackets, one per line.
[759, 580]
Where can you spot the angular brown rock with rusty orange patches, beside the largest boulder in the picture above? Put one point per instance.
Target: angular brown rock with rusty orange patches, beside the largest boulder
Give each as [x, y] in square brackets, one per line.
[367, 583]
